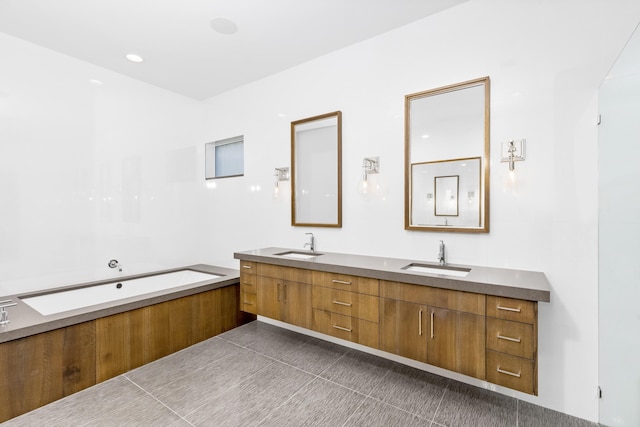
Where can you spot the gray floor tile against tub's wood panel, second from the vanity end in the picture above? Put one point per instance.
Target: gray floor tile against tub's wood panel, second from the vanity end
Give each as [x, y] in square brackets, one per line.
[157, 374]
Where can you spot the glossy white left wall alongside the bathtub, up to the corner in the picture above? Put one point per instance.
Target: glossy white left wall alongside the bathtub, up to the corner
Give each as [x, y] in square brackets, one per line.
[91, 172]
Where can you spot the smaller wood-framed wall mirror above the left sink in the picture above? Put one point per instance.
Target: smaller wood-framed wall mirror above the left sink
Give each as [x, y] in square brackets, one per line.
[316, 170]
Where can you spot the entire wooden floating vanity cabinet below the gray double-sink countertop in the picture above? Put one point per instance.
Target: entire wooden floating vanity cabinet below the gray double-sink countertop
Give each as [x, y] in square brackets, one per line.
[487, 337]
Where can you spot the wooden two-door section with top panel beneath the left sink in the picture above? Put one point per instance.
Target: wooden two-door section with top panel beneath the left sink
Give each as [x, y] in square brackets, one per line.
[284, 293]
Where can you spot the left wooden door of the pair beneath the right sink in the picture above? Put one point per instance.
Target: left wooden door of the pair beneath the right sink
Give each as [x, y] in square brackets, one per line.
[403, 329]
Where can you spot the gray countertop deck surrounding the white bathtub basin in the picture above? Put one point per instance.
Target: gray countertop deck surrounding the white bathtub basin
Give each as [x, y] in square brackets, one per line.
[26, 321]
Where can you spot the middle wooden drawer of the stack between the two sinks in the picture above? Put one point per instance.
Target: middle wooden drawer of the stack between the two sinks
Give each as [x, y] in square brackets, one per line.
[346, 303]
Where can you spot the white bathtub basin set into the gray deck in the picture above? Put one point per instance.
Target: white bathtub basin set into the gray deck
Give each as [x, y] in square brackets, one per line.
[72, 299]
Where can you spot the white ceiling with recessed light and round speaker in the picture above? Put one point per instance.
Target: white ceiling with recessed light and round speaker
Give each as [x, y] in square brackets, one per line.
[183, 52]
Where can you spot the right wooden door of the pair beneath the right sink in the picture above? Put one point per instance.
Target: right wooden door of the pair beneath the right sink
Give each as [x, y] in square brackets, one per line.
[456, 341]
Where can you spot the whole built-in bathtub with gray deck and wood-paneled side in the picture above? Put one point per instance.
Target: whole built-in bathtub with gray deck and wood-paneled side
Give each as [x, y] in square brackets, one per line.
[60, 341]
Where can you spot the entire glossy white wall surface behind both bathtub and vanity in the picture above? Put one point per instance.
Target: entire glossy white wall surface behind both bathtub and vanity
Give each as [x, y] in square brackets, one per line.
[64, 141]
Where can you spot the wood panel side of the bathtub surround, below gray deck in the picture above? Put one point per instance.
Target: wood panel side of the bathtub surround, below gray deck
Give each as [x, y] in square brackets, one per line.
[45, 367]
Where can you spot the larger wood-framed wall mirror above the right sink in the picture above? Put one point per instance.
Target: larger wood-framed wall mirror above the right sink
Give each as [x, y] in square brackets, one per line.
[447, 158]
